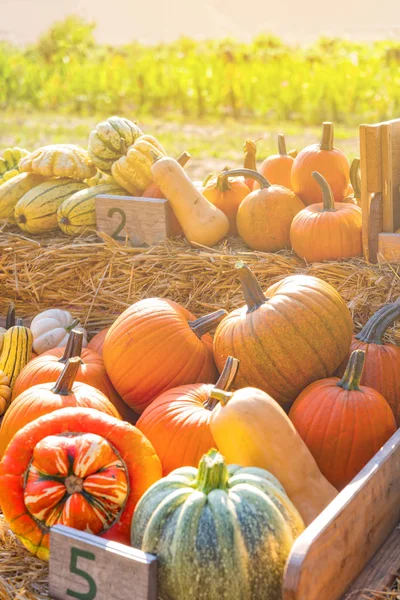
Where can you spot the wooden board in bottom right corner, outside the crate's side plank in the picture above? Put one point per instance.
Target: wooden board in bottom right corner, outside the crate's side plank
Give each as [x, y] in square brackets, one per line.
[381, 570]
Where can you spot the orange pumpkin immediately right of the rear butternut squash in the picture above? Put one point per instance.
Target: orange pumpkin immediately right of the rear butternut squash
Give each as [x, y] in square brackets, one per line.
[227, 195]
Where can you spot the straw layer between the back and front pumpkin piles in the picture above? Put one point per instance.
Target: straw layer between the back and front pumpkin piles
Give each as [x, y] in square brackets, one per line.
[96, 278]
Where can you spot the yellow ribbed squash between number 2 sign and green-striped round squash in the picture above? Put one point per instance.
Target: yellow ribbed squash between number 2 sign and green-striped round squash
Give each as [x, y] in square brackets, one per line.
[133, 171]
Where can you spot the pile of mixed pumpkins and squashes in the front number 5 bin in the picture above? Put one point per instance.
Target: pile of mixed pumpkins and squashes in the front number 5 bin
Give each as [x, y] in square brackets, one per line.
[208, 451]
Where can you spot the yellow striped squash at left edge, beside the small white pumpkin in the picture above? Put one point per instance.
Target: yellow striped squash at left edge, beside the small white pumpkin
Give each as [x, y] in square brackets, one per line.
[16, 351]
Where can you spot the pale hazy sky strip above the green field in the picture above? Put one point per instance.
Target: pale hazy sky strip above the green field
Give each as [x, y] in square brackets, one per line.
[152, 21]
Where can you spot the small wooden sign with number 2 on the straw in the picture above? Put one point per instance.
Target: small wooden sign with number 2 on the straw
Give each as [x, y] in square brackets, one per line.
[145, 221]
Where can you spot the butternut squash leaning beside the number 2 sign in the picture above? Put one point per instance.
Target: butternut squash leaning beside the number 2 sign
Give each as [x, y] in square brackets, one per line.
[202, 222]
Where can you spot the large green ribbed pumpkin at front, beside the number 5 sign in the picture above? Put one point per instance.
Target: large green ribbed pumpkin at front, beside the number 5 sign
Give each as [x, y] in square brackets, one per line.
[219, 532]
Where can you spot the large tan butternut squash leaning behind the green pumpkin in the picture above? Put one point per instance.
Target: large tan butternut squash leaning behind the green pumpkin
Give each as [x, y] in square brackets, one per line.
[251, 429]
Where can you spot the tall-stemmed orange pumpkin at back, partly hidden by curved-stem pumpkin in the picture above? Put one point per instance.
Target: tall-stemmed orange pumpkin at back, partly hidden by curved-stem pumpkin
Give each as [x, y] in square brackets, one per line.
[327, 160]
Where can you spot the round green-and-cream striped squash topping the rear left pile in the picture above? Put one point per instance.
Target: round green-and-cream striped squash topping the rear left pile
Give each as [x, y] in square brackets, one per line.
[111, 140]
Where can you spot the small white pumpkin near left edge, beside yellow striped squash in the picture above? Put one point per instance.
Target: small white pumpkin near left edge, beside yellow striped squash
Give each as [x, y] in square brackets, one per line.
[50, 329]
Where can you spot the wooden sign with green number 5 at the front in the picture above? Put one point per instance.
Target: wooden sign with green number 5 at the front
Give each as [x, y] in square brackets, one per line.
[87, 567]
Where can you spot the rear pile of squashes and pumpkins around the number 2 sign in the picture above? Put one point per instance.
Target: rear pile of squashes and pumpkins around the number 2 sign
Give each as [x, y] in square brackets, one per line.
[304, 201]
